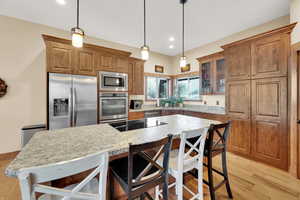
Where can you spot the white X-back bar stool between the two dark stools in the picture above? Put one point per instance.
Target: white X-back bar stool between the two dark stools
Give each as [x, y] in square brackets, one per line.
[188, 157]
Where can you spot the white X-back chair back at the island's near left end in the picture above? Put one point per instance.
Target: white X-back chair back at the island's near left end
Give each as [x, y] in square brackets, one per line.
[30, 178]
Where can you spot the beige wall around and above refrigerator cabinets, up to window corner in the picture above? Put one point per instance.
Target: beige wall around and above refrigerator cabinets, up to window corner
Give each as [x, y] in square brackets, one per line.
[23, 67]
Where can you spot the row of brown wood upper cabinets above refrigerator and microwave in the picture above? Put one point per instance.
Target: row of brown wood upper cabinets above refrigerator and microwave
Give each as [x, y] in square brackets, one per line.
[62, 57]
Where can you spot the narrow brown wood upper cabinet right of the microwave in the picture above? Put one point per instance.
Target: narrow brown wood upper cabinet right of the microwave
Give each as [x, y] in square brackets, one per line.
[136, 76]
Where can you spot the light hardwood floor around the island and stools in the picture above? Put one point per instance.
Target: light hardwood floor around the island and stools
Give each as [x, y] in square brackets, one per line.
[249, 181]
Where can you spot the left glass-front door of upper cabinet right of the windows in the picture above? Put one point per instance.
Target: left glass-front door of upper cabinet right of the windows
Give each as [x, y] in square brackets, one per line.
[205, 86]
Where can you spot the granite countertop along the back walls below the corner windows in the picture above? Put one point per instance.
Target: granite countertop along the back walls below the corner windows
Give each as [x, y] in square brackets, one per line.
[203, 109]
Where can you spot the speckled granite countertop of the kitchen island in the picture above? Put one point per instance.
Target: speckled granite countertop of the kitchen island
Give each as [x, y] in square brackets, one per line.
[50, 147]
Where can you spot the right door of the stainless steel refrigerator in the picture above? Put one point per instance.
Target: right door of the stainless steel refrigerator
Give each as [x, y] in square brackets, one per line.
[85, 100]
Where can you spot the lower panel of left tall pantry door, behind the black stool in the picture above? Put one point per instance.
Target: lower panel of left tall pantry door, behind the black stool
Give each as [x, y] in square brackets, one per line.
[240, 137]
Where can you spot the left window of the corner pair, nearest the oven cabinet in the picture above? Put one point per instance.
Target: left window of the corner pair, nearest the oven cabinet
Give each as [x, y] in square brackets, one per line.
[157, 87]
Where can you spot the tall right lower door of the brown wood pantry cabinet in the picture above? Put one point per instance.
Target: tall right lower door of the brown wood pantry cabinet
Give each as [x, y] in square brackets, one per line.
[269, 121]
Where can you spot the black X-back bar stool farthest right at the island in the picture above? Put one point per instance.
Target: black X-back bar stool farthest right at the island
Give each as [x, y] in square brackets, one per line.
[216, 144]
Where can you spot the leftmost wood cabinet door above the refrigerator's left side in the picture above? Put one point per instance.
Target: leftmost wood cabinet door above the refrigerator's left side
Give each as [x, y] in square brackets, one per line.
[60, 58]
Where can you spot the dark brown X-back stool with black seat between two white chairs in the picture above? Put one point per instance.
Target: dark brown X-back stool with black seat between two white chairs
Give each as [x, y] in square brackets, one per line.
[140, 171]
